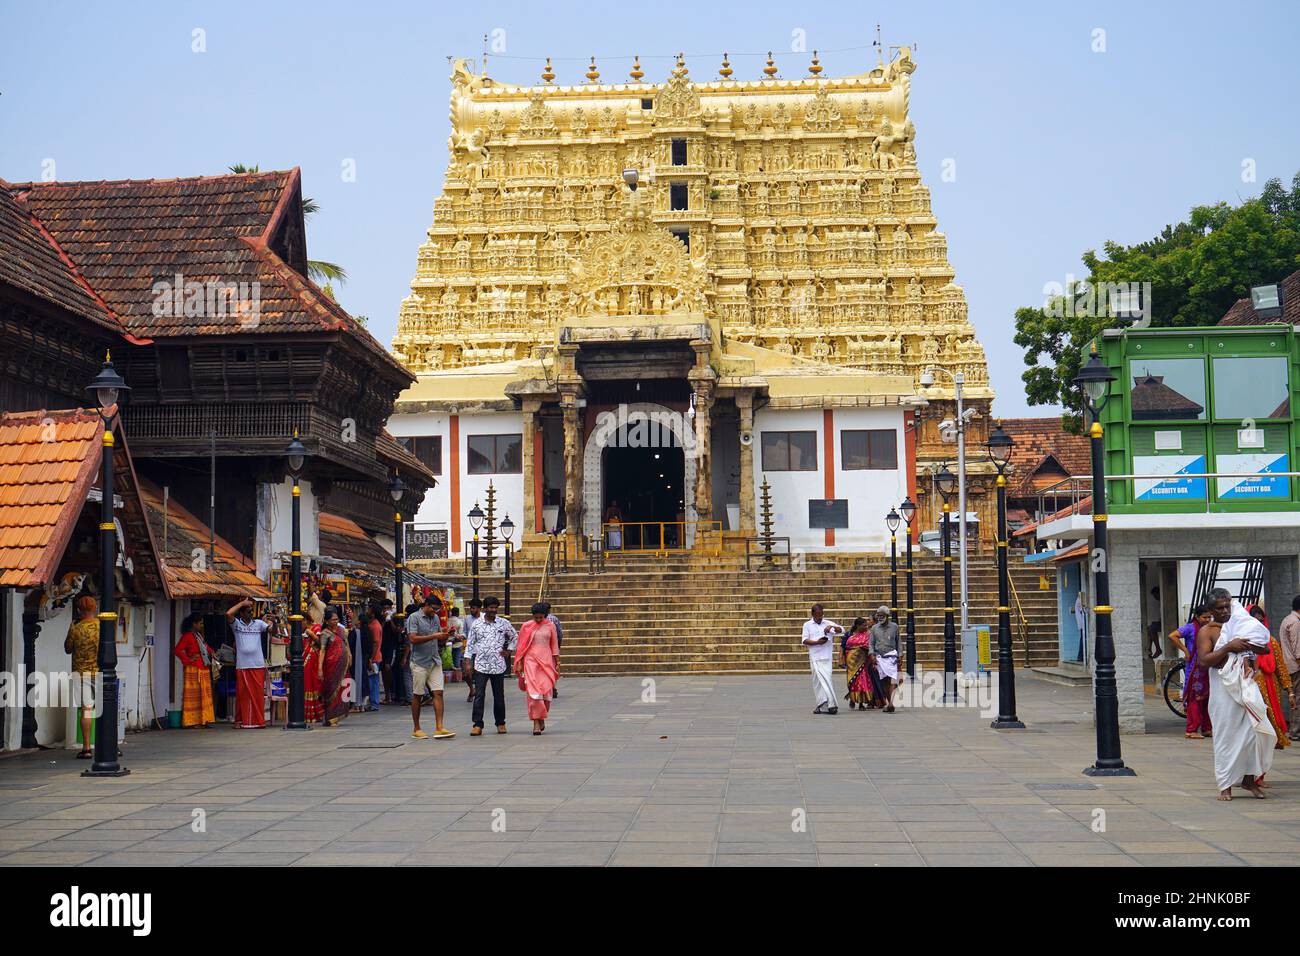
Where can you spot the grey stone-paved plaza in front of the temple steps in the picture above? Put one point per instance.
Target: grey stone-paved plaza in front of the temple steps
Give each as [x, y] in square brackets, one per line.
[718, 772]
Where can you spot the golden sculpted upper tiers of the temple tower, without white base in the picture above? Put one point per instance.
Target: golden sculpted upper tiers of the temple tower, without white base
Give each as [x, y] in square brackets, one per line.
[800, 204]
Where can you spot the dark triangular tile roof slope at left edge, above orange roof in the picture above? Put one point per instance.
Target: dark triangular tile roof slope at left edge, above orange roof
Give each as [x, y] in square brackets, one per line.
[29, 261]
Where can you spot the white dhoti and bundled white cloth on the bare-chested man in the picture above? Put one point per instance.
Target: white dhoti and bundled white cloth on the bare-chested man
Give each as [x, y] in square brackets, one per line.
[1243, 734]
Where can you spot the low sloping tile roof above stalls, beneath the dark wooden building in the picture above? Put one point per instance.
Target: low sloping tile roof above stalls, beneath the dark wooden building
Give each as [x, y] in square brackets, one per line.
[179, 535]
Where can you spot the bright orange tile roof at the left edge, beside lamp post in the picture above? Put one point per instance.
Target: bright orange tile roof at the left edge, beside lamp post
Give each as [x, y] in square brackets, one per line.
[49, 464]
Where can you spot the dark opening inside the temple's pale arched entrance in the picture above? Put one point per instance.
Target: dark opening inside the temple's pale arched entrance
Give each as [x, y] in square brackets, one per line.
[648, 486]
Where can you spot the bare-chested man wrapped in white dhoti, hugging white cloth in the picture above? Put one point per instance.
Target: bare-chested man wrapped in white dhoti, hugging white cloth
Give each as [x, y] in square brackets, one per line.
[1243, 736]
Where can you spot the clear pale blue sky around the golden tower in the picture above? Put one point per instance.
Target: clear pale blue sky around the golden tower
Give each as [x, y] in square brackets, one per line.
[1058, 148]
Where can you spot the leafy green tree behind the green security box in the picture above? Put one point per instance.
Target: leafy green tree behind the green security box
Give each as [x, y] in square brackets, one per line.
[1197, 270]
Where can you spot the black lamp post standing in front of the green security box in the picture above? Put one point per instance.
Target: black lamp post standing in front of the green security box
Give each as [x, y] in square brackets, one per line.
[1095, 379]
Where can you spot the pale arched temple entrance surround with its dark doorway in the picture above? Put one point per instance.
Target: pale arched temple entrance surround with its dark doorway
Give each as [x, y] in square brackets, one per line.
[627, 439]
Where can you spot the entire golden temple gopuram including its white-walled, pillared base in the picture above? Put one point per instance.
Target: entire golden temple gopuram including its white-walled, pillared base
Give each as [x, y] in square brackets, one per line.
[739, 248]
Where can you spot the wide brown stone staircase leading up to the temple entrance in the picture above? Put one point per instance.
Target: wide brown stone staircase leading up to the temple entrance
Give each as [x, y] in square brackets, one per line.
[710, 616]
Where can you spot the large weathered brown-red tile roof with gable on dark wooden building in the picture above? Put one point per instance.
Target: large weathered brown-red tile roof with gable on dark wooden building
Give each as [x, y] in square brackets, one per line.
[129, 236]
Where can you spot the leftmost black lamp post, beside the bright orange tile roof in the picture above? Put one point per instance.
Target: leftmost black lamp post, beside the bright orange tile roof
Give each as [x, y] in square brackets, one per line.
[106, 390]
